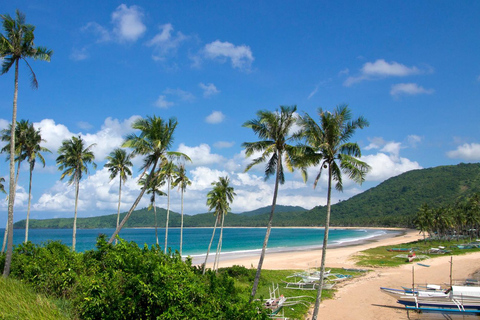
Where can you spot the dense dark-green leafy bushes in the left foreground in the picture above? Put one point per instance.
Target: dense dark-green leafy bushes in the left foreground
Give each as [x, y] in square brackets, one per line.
[128, 282]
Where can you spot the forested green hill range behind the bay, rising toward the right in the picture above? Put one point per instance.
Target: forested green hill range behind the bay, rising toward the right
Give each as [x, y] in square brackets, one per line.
[393, 202]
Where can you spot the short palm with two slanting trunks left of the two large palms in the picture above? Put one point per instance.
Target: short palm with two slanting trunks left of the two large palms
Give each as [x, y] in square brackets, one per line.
[219, 199]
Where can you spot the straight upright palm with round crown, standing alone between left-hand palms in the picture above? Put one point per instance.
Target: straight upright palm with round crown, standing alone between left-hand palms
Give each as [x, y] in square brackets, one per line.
[73, 160]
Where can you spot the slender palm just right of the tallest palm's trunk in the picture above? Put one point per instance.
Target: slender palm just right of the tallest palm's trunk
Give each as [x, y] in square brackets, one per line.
[33, 151]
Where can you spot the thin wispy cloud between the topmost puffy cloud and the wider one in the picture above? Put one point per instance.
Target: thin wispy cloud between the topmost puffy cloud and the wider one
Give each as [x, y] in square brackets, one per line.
[164, 43]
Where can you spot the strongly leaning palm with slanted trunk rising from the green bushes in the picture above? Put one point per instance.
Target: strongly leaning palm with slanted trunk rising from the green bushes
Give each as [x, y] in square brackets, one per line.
[153, 142]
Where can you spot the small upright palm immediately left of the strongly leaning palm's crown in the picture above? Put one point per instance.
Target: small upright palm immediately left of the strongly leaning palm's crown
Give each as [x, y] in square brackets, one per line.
[119, 164]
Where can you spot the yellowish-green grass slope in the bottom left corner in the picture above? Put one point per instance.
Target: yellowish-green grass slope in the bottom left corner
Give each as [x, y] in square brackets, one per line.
[19, 301]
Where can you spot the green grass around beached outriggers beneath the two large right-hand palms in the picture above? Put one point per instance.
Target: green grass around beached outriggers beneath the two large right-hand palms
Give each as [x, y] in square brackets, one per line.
[244, 279]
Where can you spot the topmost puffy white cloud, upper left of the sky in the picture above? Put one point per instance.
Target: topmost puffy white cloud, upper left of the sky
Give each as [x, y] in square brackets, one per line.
[128, 25]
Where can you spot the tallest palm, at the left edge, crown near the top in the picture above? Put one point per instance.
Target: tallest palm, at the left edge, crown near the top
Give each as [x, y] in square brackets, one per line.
[15, 45]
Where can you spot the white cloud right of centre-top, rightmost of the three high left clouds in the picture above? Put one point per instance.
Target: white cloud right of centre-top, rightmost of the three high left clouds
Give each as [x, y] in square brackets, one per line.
[241, 56]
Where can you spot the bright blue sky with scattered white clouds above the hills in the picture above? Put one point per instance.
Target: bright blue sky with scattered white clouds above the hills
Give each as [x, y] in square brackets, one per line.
[410, 67]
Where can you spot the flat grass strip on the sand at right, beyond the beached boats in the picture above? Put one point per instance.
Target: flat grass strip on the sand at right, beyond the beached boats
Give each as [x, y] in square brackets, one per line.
[380, 257]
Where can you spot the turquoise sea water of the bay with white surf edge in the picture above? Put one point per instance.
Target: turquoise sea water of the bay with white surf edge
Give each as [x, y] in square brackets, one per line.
[195, 240]
